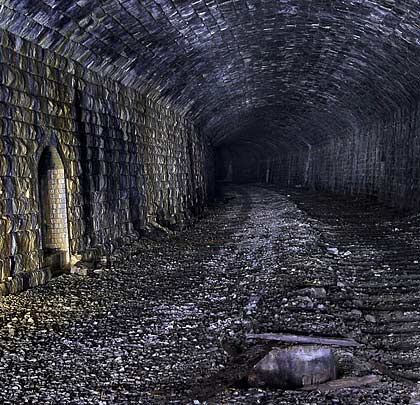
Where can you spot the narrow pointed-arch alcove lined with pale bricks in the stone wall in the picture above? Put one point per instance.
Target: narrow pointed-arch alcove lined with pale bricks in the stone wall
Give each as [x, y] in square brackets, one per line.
[53, 210]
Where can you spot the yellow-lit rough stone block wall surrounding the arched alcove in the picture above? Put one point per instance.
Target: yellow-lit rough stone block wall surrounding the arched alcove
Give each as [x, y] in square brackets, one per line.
[128, 161]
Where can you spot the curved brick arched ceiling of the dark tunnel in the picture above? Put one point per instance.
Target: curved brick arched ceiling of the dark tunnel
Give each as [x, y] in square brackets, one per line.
[297, 71]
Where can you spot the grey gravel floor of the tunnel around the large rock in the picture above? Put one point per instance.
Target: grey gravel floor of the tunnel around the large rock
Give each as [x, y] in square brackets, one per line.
[169, 317]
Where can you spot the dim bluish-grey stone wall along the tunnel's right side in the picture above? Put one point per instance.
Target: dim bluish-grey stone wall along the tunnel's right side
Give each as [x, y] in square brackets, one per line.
[380, 159]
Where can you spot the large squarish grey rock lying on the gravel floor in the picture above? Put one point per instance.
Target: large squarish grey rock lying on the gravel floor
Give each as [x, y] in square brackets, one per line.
[294, 367]
